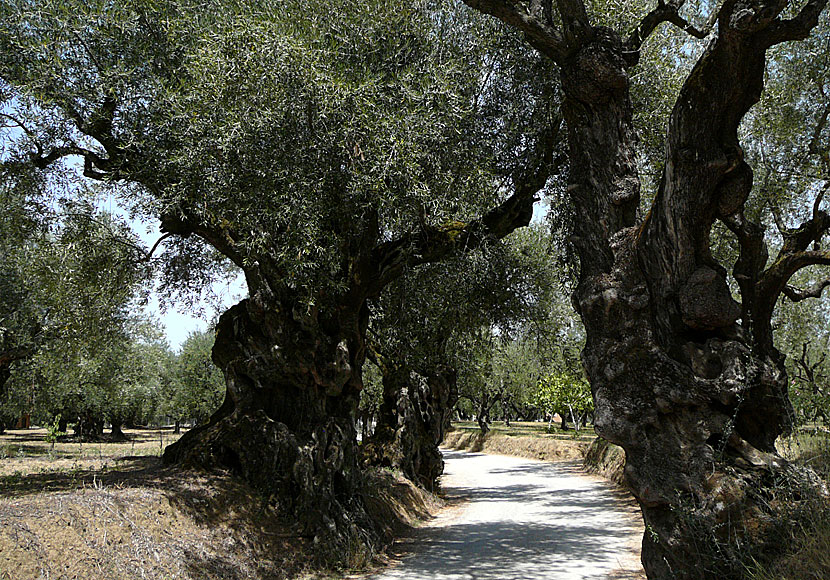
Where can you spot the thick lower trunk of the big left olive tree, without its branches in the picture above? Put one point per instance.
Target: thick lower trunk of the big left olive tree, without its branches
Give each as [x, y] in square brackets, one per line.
[287, 424]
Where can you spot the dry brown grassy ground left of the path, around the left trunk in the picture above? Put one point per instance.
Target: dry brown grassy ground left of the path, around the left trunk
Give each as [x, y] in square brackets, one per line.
[113, 511]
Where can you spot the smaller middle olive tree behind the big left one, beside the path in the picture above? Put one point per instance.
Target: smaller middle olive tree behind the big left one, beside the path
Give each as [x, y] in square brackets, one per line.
[421, 334]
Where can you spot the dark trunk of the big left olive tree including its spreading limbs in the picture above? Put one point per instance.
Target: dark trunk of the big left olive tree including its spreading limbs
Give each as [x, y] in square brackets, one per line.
[293, 372]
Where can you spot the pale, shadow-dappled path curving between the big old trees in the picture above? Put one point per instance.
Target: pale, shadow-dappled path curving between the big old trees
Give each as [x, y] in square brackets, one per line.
[523, 520]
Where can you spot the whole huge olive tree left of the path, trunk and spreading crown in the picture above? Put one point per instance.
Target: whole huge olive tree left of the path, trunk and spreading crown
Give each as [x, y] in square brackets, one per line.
[324, 148]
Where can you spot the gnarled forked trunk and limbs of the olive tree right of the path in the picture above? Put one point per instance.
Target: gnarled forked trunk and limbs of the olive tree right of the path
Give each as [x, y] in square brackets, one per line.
[684, 378]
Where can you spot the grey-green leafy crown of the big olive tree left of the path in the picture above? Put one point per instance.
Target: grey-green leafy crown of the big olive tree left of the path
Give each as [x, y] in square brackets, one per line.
[284, 155]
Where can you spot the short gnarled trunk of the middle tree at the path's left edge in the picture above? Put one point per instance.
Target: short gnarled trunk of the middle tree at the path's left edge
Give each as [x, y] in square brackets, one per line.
[412, 421]
